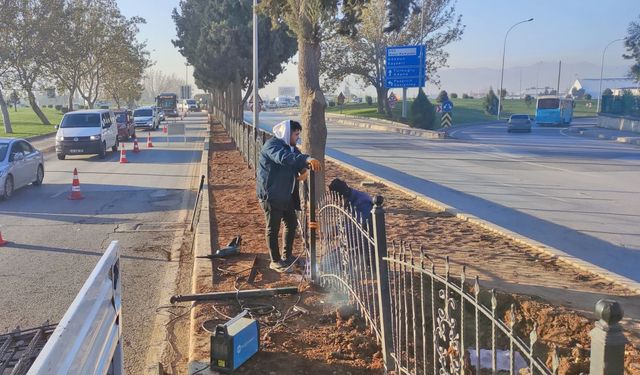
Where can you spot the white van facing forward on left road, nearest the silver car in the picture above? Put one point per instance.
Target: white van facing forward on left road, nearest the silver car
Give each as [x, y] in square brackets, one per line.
[87, 132]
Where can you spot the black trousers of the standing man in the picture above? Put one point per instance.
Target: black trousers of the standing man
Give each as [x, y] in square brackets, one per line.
[273, 217]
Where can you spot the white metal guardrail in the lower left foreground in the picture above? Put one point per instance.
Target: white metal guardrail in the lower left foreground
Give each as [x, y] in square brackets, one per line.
[88, 339]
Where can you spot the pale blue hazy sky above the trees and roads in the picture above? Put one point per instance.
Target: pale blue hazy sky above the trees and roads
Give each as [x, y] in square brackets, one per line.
[574, 31]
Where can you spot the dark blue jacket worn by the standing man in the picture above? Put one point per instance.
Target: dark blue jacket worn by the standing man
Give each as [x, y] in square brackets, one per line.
[276, 176]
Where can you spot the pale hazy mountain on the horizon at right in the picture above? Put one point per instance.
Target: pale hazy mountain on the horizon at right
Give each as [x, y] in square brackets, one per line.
[544, 74]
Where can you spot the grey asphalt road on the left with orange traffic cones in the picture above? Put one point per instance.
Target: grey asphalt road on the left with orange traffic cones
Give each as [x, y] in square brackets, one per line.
[56, 242]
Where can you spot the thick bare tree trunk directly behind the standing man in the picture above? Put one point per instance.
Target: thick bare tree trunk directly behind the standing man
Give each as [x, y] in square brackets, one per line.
[312, 104]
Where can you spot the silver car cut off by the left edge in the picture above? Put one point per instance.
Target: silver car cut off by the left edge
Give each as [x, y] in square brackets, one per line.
[20, 164]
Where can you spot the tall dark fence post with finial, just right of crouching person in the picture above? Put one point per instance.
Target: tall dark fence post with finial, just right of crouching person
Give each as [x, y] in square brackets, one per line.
[382, 273]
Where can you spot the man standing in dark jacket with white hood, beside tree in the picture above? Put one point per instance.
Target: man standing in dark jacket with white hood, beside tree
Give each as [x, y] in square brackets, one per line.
[280, 166]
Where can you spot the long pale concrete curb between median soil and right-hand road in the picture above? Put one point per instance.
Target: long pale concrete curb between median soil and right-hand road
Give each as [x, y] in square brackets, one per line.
[622, 281]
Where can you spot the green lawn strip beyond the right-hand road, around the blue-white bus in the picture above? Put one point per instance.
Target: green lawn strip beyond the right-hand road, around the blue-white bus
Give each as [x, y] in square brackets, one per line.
[465, 110]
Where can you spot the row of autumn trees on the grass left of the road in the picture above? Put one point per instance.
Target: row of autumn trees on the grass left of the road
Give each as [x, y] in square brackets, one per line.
[76, 46]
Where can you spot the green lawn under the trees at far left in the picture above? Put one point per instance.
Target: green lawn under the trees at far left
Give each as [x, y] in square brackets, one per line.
[26, 124]
